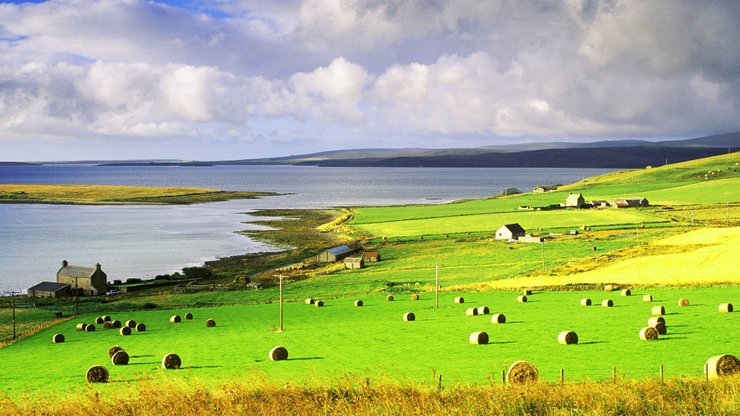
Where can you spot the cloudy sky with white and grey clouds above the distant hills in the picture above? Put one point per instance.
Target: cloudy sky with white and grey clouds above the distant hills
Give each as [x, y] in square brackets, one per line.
[236, 79]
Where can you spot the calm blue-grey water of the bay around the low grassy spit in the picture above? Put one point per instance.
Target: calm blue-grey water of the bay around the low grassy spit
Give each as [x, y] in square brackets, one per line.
[143, 241]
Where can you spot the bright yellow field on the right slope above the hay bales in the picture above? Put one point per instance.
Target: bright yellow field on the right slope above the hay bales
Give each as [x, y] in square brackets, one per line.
[711, 255]
